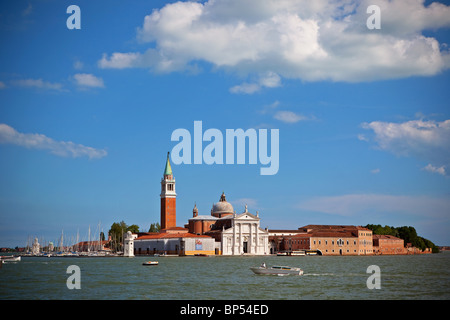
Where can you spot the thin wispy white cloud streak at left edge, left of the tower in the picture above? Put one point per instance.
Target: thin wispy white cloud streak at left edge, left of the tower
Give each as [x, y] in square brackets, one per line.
[9, 135]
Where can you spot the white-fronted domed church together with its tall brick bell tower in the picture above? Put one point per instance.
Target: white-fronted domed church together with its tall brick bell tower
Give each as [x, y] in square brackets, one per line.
[223, 232]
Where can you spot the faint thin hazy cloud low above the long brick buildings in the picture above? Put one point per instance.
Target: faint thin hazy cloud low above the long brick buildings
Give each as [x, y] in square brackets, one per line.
[368, 204]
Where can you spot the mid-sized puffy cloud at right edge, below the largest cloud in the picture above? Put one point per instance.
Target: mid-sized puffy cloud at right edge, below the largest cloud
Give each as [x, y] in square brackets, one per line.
[427, 140]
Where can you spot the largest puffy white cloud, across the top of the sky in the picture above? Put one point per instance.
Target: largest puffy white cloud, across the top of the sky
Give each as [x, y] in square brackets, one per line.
[301, 39]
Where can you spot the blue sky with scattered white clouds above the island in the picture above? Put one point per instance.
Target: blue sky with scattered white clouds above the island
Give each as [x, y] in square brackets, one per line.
[86, 115]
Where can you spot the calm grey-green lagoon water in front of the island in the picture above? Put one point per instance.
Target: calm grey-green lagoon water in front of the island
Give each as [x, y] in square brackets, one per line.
[402, 277]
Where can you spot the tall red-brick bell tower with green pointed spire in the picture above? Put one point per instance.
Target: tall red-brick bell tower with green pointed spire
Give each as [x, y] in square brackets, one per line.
[168, 198]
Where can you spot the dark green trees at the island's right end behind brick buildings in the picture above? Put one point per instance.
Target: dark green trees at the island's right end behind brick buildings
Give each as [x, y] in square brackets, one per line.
[408, 234]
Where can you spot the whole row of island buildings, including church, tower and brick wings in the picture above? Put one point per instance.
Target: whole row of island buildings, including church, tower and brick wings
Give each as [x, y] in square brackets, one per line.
[223, 232]
